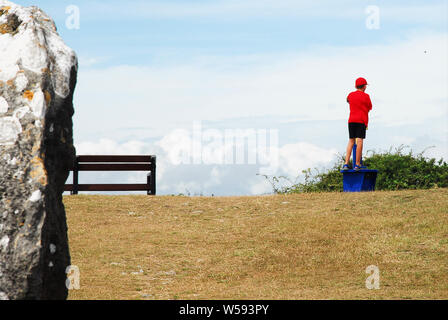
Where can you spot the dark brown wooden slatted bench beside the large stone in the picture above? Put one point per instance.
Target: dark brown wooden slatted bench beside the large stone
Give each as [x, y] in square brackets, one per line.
[114, 163]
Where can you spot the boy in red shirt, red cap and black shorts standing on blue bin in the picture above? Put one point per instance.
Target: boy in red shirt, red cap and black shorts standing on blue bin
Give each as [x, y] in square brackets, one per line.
[360, 106]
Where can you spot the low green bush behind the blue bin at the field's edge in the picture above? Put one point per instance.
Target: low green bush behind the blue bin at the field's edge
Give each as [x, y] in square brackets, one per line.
[397, 171]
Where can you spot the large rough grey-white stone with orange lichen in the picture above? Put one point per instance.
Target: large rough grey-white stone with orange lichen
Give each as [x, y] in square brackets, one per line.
[37, 79]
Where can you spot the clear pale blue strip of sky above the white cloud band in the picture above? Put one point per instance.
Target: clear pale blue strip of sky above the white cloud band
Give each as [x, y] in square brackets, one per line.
[146, 32]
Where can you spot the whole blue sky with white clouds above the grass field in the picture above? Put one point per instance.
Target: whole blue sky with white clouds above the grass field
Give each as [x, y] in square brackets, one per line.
[150, 69]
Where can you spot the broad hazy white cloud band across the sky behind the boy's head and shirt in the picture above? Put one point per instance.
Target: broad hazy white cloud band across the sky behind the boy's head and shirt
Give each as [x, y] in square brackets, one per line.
[407, 86]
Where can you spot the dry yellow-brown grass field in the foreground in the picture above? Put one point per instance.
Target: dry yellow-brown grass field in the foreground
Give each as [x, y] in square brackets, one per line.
[305, 246]
